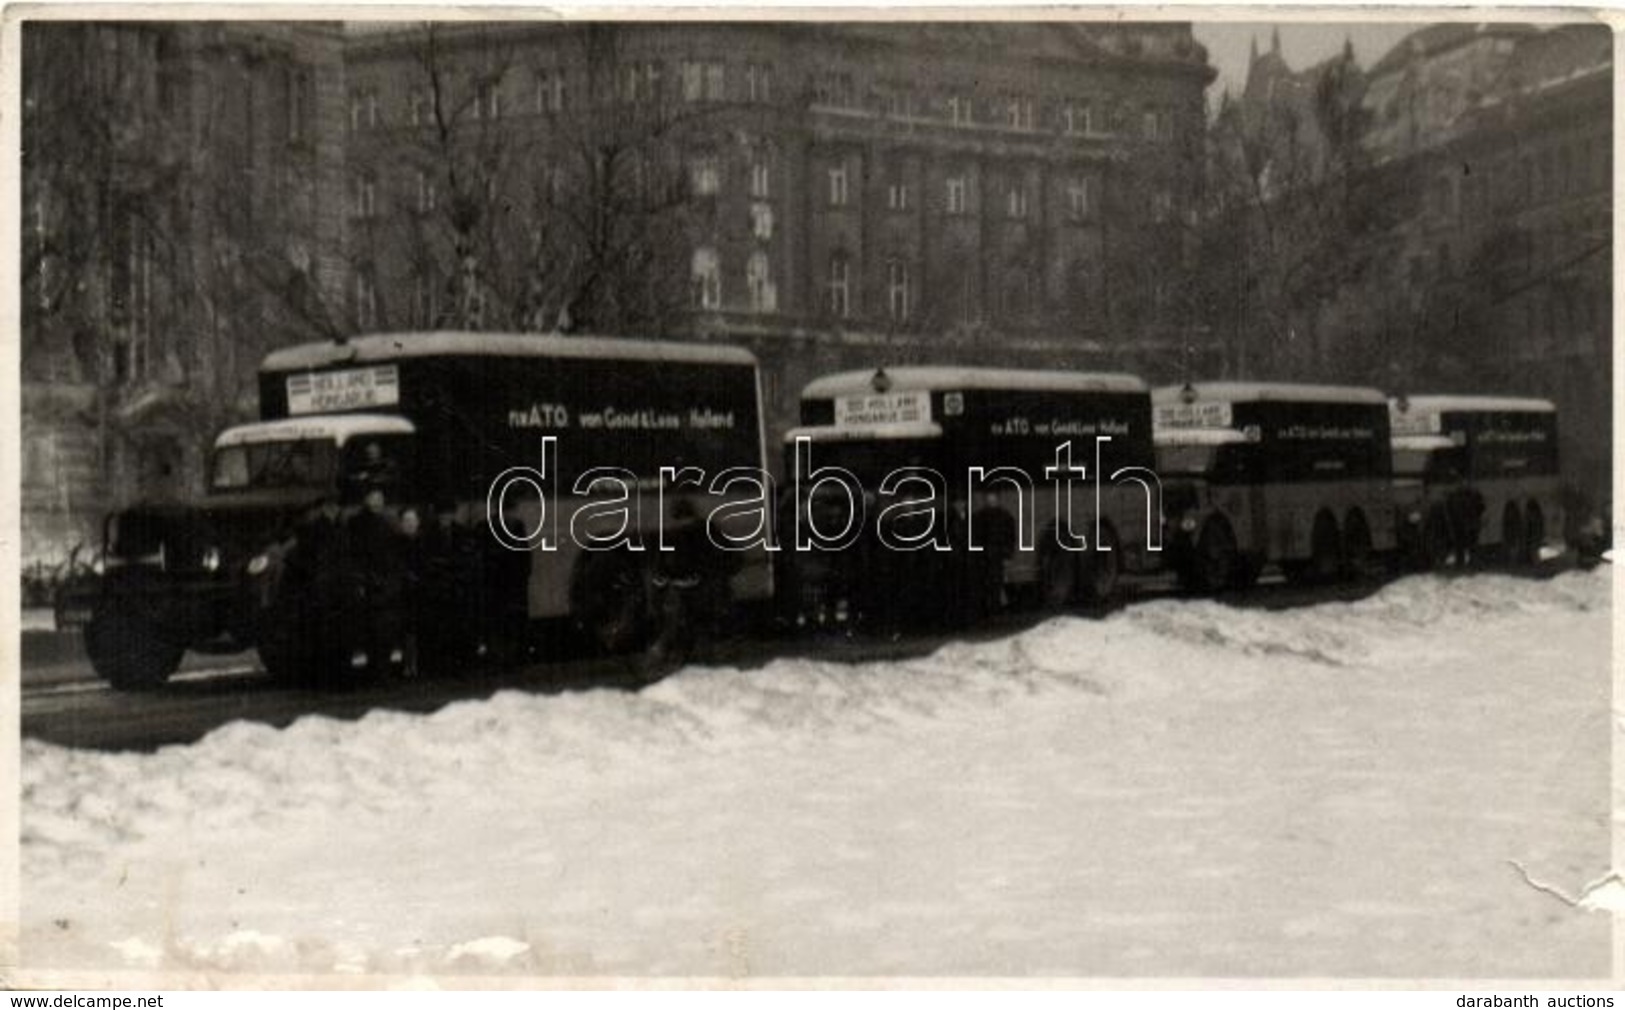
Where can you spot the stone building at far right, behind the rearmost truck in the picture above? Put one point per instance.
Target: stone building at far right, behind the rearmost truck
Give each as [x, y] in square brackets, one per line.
[1489, 262]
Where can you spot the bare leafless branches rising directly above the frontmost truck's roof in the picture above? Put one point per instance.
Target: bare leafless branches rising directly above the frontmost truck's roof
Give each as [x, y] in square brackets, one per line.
[571, 220]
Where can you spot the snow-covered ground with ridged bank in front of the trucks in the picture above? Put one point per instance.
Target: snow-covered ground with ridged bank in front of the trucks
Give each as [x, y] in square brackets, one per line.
[1181, 790]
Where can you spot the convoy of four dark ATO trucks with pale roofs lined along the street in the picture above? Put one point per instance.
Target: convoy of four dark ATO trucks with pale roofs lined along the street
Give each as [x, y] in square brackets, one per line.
[550, 472]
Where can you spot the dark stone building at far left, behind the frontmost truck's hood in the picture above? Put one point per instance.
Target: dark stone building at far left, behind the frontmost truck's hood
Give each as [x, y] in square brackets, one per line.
[178, 222]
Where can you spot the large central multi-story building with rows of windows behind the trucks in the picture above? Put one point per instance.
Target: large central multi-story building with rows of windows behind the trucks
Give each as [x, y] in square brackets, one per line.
[839, 192]
